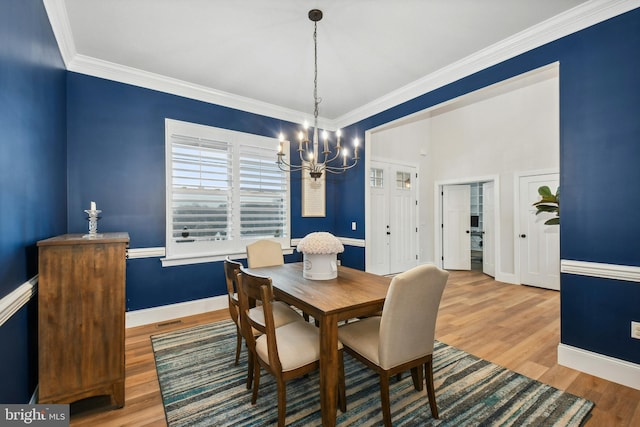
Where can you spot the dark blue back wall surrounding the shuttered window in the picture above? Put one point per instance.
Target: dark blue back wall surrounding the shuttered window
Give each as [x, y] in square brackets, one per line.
[116, 143]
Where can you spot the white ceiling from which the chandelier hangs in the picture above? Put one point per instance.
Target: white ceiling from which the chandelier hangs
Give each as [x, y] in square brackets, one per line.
[260, 53]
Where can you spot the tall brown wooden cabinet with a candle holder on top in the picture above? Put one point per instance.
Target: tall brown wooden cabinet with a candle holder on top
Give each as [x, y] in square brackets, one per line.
[81, 309]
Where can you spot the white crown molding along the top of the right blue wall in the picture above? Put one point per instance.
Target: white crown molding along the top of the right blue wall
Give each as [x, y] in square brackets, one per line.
[561, 25]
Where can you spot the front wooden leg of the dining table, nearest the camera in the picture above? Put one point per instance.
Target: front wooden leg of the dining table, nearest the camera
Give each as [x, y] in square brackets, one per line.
[328, 369]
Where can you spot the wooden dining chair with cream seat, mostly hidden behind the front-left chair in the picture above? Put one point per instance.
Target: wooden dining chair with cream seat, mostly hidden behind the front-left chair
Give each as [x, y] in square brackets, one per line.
[282, 313]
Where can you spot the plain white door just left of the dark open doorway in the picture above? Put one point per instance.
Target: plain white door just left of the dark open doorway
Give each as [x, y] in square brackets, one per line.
[456, 227]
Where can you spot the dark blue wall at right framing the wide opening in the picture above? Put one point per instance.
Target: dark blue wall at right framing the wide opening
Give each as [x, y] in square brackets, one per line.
[599, 172]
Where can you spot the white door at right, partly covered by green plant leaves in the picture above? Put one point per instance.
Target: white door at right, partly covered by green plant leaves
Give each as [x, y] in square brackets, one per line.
[539, 243]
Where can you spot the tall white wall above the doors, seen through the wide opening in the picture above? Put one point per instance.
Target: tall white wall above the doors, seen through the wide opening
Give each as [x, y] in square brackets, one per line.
[508, 128]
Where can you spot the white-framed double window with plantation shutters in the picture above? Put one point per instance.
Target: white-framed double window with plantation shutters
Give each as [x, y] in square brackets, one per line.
[224, 191]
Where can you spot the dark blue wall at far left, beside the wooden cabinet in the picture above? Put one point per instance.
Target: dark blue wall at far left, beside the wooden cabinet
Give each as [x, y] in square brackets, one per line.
[32, 174]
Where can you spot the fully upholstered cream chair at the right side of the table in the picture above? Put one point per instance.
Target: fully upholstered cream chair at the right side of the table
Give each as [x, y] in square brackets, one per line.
[402, 338]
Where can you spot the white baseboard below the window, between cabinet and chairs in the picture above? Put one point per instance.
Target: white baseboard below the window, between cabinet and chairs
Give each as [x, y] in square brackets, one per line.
[172, 311]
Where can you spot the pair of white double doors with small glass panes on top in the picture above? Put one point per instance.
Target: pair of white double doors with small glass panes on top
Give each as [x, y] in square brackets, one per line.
[393, 245]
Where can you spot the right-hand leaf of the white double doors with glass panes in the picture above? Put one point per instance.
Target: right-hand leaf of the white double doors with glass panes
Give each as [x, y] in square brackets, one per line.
[403, 245]
